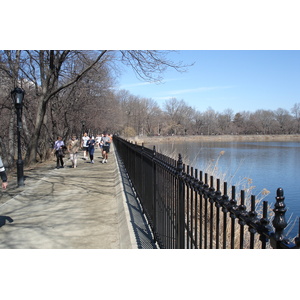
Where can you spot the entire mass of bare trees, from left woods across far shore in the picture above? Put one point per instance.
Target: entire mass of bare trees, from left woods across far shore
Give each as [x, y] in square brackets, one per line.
[69, 92]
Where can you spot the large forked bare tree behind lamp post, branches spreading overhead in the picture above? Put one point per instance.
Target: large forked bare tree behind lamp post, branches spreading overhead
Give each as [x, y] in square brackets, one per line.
[53, 71]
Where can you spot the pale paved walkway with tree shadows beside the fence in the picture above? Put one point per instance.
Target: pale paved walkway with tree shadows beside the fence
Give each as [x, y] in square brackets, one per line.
[90, 207]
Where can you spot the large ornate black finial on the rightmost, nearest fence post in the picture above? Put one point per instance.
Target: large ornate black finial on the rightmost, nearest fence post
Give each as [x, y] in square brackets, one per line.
[279, 221]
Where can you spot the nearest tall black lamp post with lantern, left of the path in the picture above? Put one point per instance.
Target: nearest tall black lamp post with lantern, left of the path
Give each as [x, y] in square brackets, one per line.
[18, 95]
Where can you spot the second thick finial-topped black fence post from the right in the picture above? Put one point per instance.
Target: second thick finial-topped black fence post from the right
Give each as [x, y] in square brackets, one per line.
[181, 208]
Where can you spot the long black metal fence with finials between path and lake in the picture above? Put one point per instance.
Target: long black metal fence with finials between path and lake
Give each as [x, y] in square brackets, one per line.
[187, 209]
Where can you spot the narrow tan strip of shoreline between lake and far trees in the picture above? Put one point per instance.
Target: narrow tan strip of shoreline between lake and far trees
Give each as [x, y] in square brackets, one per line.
[215, 138]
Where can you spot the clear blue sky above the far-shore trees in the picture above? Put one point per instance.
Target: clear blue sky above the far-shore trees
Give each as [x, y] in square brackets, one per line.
[237, 79]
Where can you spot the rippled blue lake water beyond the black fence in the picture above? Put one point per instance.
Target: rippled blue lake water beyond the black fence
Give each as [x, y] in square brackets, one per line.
[260, 165]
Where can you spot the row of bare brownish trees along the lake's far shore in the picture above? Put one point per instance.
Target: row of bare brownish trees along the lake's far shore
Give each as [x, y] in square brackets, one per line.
[144, 117]
